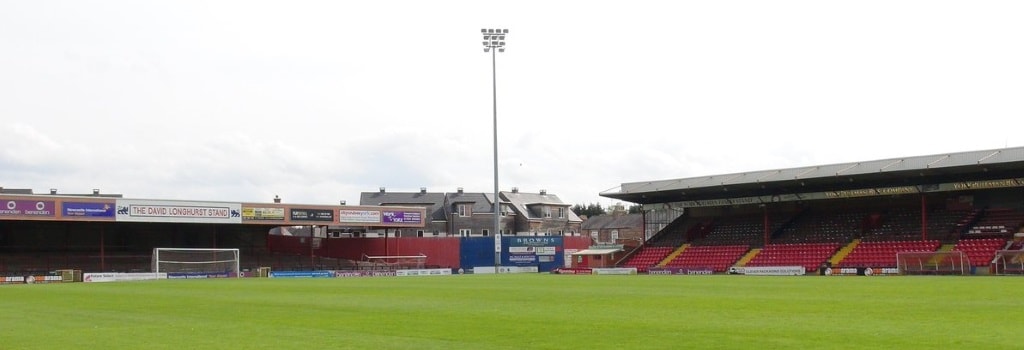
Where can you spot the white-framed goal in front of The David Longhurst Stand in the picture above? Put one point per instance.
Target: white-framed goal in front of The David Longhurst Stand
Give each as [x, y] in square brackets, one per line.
[196, 262]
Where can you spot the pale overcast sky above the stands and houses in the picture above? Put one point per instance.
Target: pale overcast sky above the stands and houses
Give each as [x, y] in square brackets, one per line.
[318, 102]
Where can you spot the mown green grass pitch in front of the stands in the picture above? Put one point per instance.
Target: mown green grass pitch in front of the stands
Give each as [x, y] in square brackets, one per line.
[524, 312]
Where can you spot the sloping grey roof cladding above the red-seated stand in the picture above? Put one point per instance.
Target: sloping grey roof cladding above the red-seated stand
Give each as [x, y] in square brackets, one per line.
[933, 163]
